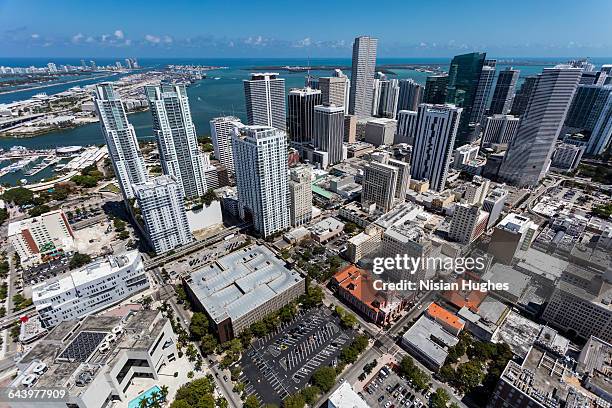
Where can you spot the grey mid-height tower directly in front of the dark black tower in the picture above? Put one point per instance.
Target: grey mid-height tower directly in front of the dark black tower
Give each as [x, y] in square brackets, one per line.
[329, 131]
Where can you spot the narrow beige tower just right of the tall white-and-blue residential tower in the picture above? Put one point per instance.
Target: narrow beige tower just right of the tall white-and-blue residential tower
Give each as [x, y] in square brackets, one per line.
[300, 195]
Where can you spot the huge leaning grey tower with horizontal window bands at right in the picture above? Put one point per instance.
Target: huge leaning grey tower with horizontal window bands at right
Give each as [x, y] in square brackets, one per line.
[528, 155]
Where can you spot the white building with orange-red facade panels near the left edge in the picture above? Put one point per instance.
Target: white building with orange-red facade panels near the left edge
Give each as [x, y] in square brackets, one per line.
[41, 238]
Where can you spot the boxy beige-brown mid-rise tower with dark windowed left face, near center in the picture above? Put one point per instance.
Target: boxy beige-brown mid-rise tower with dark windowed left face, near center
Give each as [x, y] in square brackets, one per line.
[379, 185]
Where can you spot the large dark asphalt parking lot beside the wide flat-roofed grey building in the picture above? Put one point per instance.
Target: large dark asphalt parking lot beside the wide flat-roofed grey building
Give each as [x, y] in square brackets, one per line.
[283, 362]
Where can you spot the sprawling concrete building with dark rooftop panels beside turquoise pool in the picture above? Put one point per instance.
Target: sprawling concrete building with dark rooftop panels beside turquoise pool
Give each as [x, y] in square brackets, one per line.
[95, 360]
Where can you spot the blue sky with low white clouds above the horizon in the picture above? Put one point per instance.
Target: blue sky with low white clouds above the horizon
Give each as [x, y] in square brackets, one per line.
[174, 28]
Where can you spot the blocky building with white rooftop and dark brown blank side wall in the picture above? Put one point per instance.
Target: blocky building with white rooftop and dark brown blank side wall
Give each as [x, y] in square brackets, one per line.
[513, 234]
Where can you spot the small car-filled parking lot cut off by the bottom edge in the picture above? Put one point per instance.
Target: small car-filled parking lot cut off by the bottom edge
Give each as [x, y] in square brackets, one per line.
[387, 389]
